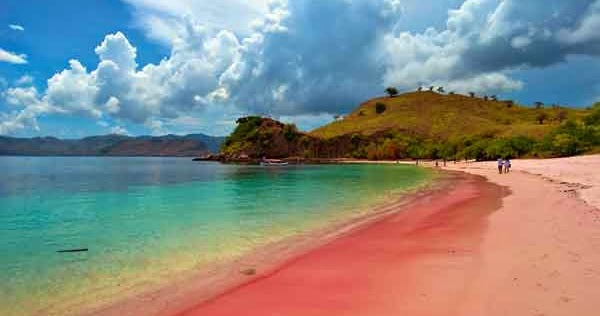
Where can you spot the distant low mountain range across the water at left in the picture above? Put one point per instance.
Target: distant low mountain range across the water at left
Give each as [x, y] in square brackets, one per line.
[192, 145]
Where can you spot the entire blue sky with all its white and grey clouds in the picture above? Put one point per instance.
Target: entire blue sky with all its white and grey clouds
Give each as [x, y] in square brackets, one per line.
[75, 68]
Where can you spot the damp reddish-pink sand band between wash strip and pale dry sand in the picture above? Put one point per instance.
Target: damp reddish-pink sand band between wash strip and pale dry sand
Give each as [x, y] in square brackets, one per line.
[403, 264]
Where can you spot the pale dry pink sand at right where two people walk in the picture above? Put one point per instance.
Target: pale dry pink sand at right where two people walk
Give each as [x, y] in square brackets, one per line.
[541, 251]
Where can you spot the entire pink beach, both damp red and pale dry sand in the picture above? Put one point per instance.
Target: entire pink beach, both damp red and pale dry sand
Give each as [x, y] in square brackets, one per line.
[524, 245]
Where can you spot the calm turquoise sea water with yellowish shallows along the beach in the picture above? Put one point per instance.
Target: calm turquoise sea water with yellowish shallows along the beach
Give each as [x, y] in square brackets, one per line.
[146, 221]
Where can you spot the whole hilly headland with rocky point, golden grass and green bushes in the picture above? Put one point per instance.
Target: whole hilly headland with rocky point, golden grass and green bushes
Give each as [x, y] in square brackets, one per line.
[425, 125]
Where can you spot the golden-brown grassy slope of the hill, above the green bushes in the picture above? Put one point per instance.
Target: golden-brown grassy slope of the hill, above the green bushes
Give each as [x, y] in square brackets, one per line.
[443, 117]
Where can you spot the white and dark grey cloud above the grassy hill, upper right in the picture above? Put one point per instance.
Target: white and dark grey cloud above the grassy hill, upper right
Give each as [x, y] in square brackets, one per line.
[484, 40]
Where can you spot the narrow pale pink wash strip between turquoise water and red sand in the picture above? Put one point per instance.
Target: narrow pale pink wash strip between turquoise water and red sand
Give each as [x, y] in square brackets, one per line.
[212, 281]
